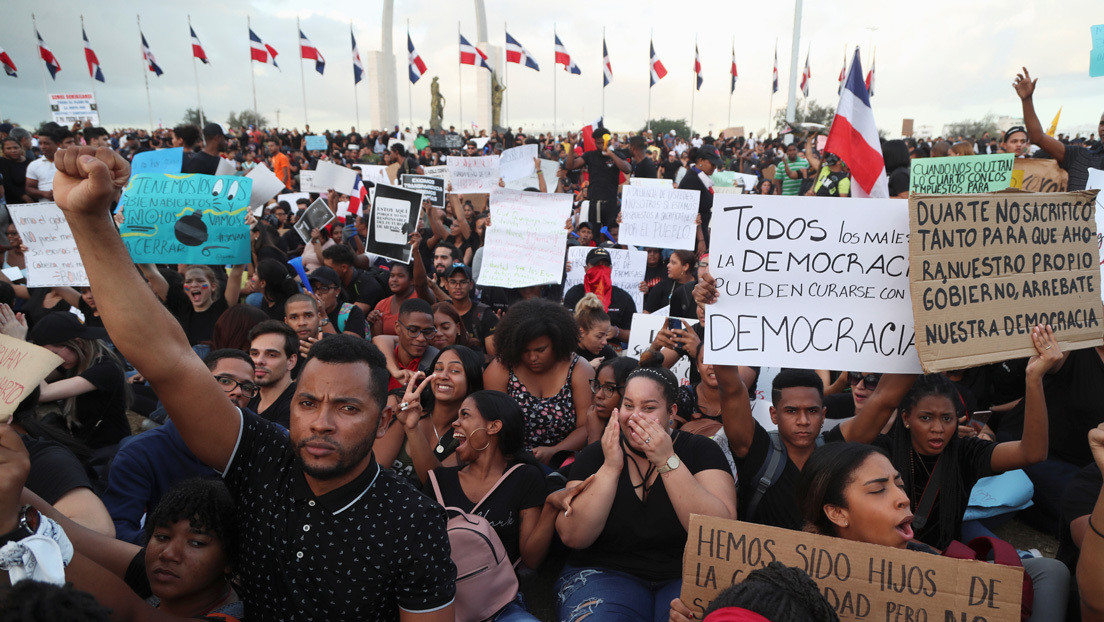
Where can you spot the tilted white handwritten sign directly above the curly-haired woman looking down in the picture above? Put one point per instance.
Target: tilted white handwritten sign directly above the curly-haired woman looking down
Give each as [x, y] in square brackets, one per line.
[526, 241]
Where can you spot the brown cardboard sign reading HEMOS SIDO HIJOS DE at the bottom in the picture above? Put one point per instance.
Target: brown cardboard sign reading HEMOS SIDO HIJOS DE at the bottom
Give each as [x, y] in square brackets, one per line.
[862, 582]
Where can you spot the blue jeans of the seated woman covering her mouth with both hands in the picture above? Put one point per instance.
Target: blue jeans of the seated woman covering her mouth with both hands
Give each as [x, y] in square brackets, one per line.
[597, 595]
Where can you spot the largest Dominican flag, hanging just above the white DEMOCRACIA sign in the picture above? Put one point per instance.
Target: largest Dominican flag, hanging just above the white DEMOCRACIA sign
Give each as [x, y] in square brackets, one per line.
[854, 138]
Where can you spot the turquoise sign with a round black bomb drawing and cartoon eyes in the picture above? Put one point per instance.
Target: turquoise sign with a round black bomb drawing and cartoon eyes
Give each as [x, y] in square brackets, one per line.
[188, 219]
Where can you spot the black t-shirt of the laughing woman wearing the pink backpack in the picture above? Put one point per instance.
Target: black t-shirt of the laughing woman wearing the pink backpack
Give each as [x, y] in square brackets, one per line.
[523, 490]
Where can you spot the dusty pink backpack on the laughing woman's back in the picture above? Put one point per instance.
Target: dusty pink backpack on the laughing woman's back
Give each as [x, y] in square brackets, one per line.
[485, 578]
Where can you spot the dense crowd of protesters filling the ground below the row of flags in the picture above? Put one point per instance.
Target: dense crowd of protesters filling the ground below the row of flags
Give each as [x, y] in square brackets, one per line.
[249, 442]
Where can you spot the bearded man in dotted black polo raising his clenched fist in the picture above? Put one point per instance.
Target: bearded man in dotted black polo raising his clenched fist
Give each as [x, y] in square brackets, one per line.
[326, 533]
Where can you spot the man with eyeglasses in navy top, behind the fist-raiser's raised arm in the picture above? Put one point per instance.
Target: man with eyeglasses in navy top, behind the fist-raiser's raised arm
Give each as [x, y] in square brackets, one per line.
[147, 466]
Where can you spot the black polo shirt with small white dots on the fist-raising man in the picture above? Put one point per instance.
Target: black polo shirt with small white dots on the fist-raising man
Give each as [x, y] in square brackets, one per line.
[359, 553]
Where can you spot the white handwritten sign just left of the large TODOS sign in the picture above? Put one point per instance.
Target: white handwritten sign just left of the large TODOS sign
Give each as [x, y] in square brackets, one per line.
[659, 217]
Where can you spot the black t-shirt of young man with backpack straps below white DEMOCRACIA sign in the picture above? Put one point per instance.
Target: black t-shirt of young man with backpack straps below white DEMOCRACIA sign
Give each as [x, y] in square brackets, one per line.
[779, 505]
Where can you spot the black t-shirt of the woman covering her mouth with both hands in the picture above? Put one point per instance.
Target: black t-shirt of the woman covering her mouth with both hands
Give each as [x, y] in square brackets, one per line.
[643, 539]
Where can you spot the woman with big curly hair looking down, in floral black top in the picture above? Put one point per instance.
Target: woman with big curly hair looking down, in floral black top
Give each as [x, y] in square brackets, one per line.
[537, 366]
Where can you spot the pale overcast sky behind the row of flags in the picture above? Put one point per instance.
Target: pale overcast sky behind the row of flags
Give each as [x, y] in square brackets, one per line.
[938, 61]
